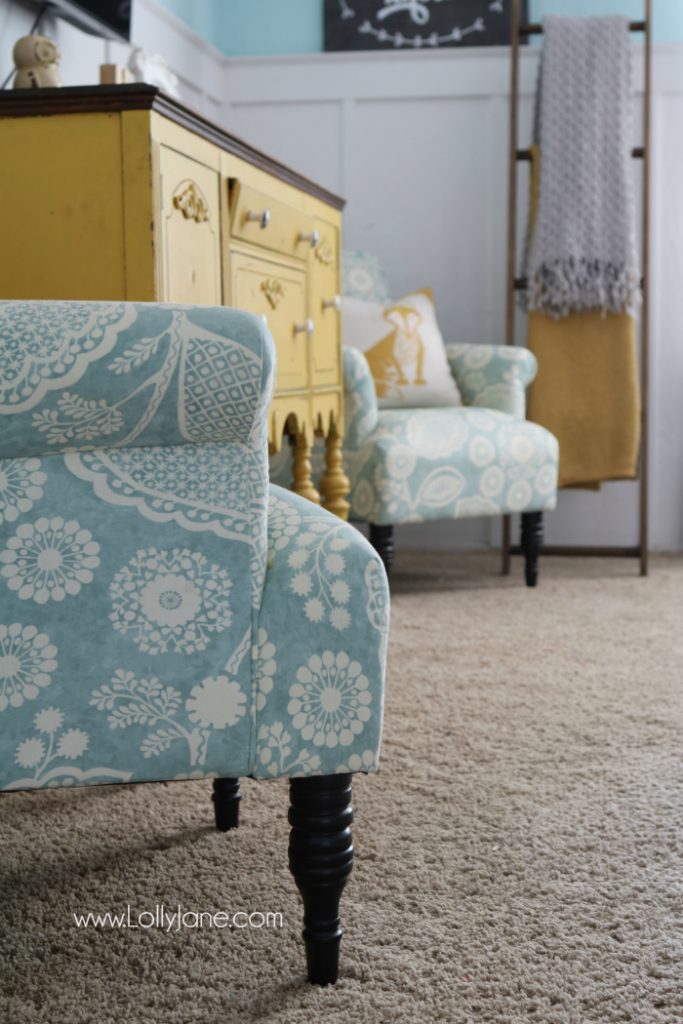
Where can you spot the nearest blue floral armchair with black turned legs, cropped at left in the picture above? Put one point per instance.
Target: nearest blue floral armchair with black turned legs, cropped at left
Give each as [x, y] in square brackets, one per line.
[164, 613]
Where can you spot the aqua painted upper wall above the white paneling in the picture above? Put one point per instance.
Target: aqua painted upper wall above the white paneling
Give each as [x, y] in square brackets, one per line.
[242, 28]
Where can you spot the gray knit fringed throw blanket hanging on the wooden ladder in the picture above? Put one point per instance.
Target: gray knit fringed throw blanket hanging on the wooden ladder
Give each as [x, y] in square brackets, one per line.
[583, 252]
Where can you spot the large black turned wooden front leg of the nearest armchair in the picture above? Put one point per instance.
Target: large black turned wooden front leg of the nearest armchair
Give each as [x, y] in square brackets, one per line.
[321, 861]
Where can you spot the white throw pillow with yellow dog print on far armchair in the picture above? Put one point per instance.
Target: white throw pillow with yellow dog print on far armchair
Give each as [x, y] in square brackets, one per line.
[405, 350]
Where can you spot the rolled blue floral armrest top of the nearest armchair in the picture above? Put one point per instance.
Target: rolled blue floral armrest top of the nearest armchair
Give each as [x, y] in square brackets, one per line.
[100, 375]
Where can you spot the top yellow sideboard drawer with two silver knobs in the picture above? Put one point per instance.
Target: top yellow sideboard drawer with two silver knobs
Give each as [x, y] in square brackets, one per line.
[270, 224]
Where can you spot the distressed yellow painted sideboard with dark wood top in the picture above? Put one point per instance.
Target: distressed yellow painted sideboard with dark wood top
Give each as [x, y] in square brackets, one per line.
[121, 193]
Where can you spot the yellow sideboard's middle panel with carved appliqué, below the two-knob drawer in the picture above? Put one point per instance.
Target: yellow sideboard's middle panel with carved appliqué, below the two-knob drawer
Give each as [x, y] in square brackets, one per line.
[279, 293]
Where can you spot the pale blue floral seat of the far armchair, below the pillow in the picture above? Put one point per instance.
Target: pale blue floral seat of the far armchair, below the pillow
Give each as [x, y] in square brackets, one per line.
[451, 463]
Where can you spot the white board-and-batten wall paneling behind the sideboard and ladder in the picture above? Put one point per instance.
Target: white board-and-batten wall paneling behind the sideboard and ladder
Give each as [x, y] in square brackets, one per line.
[417, 144]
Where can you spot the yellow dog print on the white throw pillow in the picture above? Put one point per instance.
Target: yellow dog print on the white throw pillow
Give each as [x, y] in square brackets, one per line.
[393, 359]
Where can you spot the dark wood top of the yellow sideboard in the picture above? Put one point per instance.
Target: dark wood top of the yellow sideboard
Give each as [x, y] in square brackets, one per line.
[138, 97]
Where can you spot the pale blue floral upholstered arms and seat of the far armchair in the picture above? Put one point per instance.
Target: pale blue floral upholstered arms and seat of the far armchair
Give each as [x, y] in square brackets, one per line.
[483, 458]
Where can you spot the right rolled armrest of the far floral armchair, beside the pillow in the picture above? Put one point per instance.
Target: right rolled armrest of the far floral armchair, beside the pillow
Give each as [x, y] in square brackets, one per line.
[493, 376]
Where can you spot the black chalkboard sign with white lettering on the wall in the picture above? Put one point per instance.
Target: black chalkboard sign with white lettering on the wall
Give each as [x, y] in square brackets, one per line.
[378, 25]
